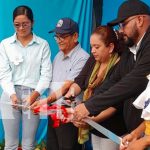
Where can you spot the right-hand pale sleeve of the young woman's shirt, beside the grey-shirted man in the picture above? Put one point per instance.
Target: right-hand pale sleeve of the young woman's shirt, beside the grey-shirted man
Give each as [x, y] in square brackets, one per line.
[45, 70]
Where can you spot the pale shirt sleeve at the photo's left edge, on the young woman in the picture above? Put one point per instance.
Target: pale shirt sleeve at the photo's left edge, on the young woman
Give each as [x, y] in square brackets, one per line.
[5, 72]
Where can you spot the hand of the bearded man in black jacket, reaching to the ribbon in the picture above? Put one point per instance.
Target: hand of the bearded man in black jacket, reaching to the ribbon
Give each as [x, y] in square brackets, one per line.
[80, 112]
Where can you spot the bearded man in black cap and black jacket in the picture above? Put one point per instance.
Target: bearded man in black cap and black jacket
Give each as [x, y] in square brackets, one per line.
[129, 78]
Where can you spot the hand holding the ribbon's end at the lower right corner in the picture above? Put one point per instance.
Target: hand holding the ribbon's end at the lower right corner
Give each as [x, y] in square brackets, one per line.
[126, 140]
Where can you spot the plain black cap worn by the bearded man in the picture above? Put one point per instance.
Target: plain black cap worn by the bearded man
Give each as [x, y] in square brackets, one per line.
[130, 8]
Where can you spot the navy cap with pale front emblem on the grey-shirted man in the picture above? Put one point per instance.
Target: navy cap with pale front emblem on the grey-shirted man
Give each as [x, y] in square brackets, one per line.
[66, 25]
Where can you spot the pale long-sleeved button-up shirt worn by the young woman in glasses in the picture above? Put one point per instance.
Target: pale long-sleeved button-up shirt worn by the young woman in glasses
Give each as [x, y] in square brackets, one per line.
[28, 65]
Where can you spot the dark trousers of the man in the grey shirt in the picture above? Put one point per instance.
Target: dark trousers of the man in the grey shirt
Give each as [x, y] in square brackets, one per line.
[65, 137]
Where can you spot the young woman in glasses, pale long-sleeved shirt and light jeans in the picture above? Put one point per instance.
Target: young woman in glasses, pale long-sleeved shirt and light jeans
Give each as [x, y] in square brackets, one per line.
[25, 72]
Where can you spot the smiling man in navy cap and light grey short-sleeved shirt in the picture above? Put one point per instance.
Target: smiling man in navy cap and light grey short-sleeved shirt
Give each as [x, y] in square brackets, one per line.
[67, 65]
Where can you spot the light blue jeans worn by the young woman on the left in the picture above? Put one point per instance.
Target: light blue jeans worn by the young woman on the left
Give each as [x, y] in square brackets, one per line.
[12, 118]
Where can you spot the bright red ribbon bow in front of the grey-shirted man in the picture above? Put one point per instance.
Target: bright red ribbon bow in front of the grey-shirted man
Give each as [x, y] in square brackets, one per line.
[58, 118]
